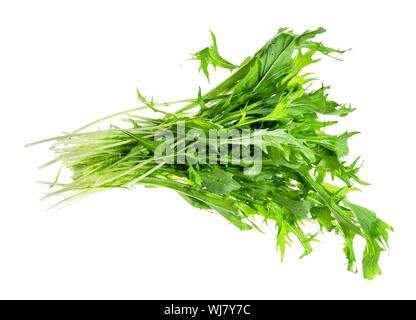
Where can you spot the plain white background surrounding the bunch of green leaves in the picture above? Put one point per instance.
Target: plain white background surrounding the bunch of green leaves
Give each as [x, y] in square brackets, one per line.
[65, 63]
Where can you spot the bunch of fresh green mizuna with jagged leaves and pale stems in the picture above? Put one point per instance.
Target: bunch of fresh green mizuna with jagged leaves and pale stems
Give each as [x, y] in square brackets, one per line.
[268, 94]
